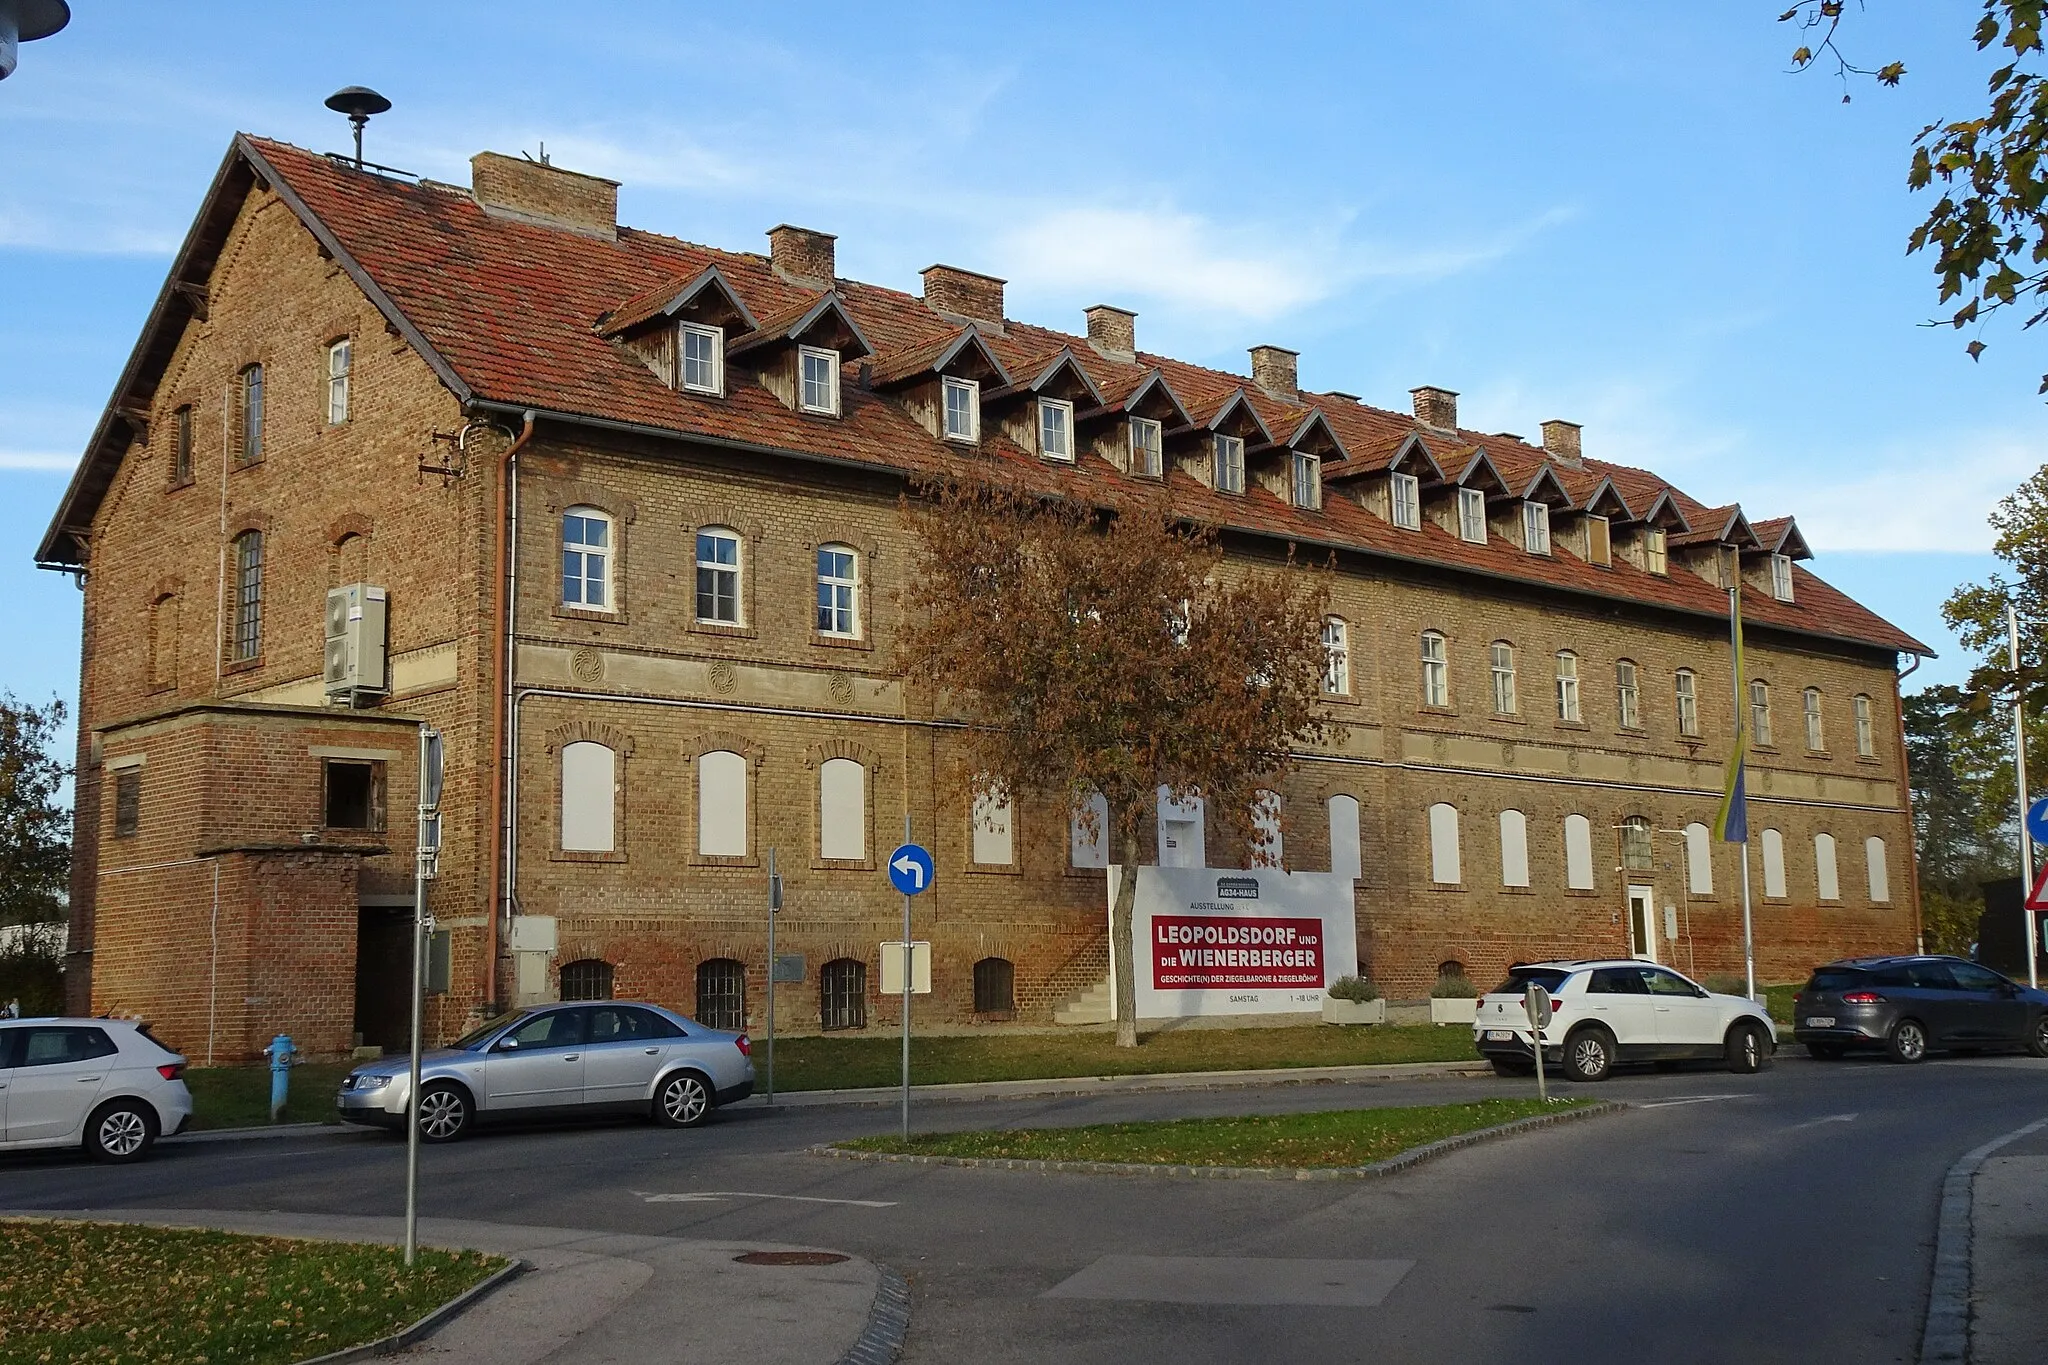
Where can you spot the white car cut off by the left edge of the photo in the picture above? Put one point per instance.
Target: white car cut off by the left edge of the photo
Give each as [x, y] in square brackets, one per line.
[95, 1084]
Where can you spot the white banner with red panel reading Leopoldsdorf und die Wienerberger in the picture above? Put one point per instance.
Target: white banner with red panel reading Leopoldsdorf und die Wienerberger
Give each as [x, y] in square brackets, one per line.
[1238, 942]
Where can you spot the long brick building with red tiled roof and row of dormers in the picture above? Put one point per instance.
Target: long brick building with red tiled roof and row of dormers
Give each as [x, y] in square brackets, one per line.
[622, 517]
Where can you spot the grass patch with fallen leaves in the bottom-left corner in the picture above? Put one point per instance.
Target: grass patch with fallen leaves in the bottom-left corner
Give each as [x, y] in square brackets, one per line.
[118, 1294]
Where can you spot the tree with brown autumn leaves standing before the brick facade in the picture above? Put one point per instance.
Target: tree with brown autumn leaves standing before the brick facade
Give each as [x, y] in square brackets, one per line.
[1091, 652]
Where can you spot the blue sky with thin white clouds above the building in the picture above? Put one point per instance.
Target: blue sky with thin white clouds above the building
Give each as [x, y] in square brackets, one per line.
[1623, 216]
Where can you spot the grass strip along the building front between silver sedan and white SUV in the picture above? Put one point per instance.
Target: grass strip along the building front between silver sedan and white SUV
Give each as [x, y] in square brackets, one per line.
[845, 1063]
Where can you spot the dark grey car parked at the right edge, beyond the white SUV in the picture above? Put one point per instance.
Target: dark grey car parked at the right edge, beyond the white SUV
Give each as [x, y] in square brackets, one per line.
[1912, 1006]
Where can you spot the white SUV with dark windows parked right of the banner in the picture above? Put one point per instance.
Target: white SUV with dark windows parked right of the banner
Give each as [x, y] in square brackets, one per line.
[1619, 1012]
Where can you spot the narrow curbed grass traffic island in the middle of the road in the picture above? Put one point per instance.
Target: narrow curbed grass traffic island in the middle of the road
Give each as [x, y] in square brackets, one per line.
[1261, 1141]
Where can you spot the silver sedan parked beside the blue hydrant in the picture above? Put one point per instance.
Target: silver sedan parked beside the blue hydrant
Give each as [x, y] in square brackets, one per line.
[550, 1059]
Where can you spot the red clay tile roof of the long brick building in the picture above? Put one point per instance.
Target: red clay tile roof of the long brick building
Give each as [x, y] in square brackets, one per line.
[509, 314]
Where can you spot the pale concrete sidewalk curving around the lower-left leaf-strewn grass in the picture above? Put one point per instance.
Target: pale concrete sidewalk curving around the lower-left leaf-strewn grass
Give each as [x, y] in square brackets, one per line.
[601, 1298]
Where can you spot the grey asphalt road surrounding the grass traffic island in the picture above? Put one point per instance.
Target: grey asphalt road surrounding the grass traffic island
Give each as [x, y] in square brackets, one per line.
[1727, 1219]
